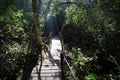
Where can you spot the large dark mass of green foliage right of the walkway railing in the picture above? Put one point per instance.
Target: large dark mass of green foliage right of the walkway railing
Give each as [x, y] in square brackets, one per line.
[95, 29]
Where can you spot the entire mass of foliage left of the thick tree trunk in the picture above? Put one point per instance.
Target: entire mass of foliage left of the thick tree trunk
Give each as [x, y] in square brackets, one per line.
[14, 44]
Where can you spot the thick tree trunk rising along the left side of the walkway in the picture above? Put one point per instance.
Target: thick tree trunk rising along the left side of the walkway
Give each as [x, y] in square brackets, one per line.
[32, 58]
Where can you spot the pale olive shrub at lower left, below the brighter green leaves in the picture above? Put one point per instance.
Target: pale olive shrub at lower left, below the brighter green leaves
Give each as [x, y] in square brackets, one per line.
[12, 61]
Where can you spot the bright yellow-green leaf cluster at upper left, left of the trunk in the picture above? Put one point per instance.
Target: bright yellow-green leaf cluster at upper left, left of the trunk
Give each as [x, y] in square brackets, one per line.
[13, 22]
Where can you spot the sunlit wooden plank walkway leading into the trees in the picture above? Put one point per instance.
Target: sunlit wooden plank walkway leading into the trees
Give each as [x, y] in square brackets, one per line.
[50, 69]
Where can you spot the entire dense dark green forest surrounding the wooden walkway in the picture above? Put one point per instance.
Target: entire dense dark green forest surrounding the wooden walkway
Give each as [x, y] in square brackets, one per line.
[90, 30]
